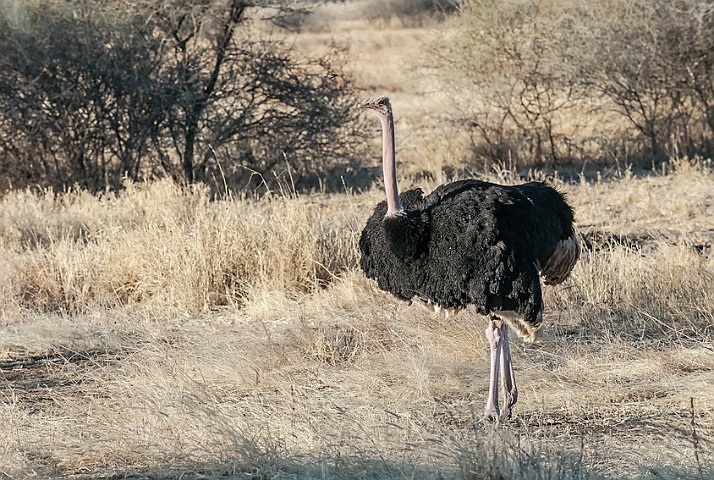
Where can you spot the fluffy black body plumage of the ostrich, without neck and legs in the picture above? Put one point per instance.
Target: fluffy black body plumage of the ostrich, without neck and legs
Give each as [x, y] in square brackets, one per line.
[468, 242]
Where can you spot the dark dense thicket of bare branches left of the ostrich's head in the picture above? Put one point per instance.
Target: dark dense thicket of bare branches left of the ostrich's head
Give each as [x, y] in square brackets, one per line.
[93, 92]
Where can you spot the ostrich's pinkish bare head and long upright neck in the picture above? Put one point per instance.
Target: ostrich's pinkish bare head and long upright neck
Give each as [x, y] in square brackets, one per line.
[383, 109]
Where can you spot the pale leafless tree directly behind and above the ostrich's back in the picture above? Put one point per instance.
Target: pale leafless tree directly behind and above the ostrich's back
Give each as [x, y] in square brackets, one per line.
[507, 57]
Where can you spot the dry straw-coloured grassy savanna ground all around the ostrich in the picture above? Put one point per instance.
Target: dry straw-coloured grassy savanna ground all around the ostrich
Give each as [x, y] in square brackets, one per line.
[157, 334]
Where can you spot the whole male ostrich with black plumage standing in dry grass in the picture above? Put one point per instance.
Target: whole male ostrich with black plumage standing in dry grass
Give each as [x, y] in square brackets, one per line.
[471, 243]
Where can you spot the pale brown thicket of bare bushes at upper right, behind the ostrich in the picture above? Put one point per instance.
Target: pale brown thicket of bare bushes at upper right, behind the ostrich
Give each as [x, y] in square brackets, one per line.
[550, 82]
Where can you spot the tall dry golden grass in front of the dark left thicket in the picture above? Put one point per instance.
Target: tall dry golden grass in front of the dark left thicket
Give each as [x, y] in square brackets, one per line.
[165, 246]
